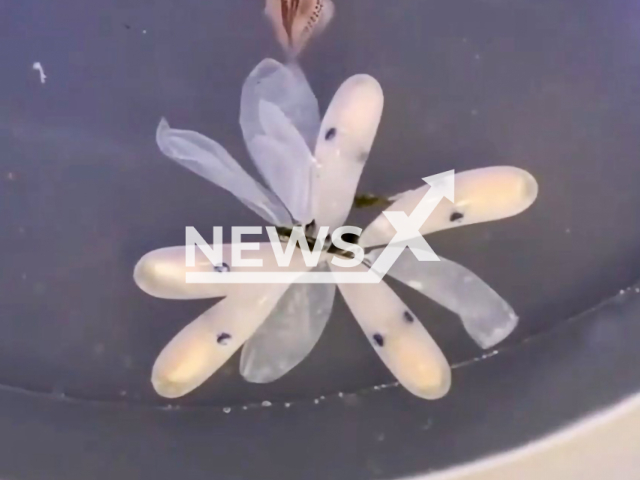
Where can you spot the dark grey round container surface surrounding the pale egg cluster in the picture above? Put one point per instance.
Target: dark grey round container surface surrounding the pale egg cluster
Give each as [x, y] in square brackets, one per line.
[550, 86]
